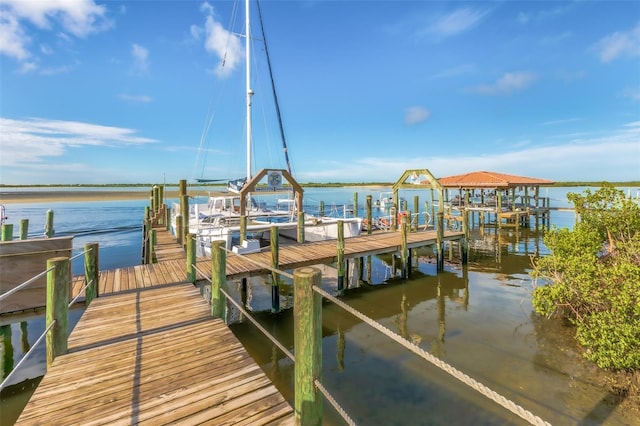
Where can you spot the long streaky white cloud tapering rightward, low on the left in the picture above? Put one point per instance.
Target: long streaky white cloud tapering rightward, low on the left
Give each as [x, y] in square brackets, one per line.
[34, 140]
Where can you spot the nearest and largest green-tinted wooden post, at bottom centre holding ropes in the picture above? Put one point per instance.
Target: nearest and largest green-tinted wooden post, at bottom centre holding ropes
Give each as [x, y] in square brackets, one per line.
[307, 326]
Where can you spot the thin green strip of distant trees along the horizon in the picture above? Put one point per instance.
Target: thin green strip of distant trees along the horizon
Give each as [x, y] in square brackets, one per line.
[308, 184]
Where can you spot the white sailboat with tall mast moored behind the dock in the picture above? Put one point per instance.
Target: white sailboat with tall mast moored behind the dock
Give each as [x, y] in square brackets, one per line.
[220, 218]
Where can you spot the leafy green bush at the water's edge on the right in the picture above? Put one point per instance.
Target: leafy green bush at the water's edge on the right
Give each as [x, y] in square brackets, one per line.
[592, 277]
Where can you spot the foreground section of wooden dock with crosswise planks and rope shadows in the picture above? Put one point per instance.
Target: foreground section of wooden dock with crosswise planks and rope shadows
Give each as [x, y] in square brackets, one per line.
[155, 356]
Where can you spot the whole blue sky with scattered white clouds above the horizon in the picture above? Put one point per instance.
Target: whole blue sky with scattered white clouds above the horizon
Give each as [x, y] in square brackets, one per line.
[135, 92]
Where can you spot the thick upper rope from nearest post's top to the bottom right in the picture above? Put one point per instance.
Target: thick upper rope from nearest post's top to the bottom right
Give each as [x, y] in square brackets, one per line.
[474, 384]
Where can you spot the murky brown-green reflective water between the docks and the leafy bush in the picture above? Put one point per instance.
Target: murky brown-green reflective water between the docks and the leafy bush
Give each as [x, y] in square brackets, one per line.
[477, 318]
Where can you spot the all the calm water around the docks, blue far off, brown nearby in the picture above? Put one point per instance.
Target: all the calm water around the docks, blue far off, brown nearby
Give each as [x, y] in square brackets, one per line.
[477, 318]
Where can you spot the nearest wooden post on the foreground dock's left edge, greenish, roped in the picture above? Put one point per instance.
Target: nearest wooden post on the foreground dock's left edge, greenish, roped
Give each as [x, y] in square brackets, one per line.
[58, 281]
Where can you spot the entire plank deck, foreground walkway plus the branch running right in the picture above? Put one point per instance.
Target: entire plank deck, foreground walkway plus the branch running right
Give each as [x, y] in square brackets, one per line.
[148, 351]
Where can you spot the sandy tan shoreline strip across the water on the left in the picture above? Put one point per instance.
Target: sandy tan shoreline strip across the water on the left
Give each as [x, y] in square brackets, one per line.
[21, 196]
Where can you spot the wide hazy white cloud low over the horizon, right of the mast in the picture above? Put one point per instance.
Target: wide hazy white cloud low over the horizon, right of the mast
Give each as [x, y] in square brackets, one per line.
[611, 157]
